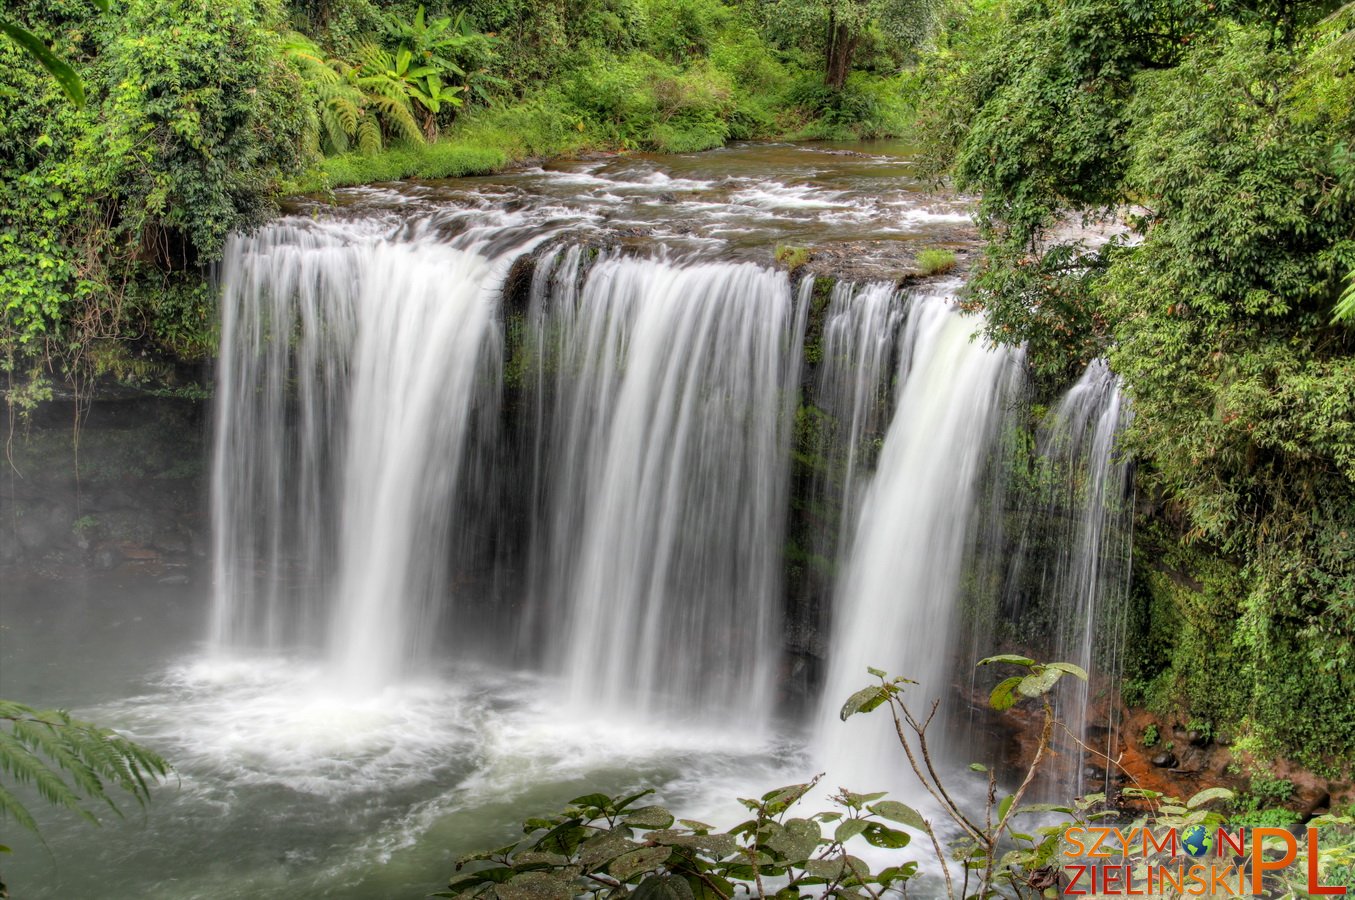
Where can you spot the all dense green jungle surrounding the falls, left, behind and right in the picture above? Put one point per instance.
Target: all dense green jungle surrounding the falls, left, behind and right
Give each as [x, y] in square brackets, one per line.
[1223, 132]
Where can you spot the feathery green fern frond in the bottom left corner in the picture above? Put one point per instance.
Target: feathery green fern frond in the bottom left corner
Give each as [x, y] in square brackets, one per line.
[70, 764]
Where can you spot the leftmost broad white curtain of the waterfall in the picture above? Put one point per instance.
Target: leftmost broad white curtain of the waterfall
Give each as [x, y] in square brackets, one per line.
[352, 369]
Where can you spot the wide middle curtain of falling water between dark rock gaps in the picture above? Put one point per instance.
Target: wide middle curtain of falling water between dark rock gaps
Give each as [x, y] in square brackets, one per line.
[665, 448]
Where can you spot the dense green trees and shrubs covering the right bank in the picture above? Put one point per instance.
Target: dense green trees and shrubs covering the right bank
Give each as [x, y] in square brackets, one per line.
[1222, 138]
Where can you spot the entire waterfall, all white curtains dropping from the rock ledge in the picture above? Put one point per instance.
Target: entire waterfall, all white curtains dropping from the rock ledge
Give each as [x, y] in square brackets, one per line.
[643, 479]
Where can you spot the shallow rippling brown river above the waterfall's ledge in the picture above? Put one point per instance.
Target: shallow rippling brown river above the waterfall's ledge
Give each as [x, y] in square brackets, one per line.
[861, 208]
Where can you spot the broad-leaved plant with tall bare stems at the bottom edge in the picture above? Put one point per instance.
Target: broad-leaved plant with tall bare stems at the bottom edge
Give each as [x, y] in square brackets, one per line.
[602, 845]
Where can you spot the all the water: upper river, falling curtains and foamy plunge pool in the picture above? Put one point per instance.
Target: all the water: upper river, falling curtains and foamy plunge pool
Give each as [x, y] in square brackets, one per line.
[505, 475]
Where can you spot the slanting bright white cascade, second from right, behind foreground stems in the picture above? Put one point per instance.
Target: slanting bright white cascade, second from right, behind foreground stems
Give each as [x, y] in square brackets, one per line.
[898, 594]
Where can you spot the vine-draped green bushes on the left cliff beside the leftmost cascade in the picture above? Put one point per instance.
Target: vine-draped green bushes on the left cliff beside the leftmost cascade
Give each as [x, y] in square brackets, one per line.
[110, 211]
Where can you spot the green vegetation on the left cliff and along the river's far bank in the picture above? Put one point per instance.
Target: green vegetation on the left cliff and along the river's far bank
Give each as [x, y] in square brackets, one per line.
[200, 117]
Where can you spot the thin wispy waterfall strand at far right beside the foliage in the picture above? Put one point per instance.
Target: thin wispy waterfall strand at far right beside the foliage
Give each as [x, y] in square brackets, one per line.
[1071, 573]
